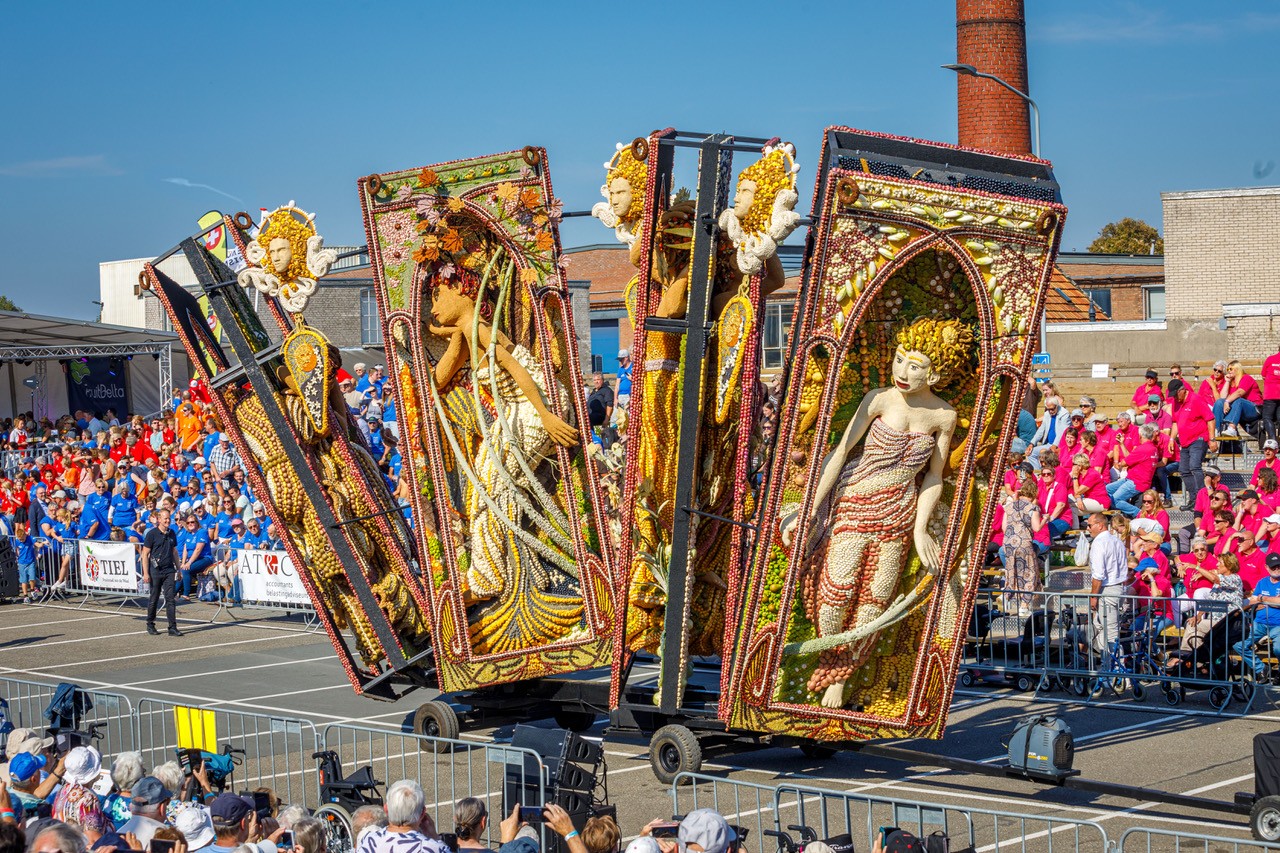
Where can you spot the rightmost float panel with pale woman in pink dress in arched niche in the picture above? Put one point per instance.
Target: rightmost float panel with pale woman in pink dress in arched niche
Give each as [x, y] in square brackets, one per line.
[911, 353]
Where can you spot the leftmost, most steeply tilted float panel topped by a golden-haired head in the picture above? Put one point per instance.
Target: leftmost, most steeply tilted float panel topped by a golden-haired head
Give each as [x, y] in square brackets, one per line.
[282, 409]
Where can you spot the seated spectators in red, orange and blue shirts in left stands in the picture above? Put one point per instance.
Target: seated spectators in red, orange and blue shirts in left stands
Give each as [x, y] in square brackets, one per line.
[95, 477]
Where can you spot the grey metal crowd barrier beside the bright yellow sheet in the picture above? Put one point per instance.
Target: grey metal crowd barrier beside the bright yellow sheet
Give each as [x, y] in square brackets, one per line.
[277, 750]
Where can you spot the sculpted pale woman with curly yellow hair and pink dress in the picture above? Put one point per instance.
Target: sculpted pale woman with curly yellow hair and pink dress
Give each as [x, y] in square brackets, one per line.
[874, 507]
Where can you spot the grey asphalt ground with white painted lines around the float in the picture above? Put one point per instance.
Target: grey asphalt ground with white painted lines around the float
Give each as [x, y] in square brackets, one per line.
[273, 667]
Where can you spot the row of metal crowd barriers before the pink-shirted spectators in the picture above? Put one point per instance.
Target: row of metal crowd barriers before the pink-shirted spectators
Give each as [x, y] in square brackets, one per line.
[1105, 647]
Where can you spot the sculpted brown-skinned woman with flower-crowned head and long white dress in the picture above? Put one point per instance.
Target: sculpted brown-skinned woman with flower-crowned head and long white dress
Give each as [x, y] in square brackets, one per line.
[496, 416]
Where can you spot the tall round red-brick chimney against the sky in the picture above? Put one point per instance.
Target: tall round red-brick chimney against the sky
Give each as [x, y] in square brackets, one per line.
[991, 35]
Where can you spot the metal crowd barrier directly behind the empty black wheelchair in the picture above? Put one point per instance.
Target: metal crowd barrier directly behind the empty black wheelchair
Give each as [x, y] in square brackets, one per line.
[449, 770]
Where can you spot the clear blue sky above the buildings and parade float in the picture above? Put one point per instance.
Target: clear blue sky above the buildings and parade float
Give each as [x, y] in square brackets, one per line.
[125, 122]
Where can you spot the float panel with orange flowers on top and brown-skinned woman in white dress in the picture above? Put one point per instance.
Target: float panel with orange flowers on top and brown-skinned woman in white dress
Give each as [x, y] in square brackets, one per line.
[482, 352]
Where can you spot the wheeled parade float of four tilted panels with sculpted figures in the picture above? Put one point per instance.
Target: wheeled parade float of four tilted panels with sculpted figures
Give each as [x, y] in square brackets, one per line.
[799, 577]
